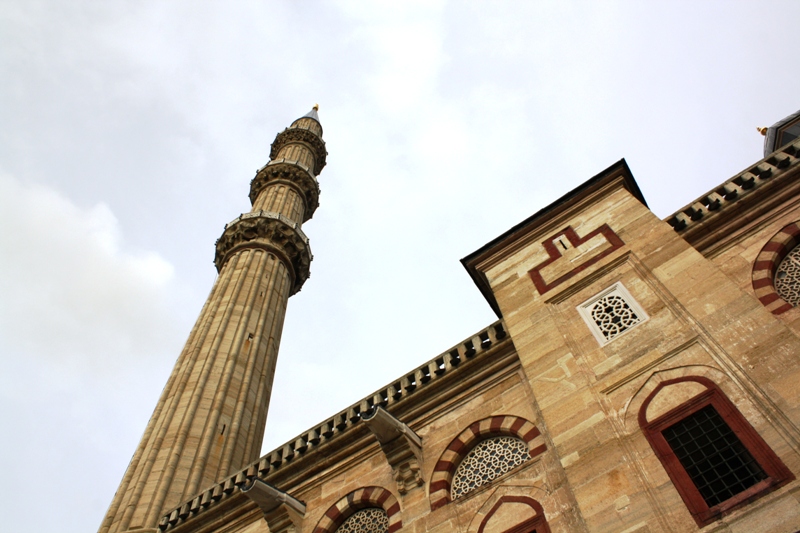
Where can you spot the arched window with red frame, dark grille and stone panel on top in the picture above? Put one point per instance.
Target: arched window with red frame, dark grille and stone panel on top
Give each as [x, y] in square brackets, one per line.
[714, 457]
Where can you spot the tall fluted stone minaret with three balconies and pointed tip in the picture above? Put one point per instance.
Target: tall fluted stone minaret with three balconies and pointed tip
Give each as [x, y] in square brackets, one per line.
[211, 415]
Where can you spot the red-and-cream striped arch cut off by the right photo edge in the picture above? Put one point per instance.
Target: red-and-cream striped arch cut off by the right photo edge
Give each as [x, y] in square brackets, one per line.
[766, 264]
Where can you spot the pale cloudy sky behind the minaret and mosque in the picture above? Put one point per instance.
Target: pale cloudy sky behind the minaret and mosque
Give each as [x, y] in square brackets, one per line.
[129, 132]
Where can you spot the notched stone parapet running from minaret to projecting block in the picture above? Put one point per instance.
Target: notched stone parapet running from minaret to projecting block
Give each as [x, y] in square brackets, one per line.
[464, 354]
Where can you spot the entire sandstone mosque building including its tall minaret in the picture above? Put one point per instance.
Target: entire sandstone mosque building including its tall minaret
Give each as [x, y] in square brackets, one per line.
[643, 376]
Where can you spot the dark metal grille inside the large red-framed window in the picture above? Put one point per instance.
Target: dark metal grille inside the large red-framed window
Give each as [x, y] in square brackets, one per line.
[715, 459]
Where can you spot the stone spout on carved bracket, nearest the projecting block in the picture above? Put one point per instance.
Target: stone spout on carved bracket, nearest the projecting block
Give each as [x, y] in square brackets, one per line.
[401, 446]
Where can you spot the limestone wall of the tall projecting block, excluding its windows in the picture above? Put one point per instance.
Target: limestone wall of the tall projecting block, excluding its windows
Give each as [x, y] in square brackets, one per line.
[698, 322]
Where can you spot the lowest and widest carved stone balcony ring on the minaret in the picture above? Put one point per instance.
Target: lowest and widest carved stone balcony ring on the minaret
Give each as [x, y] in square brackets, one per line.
[268, 231]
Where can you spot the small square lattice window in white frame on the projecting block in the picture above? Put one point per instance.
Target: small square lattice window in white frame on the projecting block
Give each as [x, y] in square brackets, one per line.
[611, 313]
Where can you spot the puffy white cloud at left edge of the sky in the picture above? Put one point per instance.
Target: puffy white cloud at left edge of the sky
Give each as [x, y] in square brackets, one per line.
[67, 279]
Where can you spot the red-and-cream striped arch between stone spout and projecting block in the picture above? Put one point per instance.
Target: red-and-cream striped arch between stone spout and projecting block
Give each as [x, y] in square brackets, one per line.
[495, 426]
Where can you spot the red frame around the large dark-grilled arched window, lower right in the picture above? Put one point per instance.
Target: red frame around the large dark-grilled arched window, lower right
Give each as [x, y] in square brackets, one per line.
[777, 472]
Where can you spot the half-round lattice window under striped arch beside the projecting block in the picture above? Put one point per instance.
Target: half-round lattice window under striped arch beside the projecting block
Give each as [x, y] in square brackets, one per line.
[490, 459]
